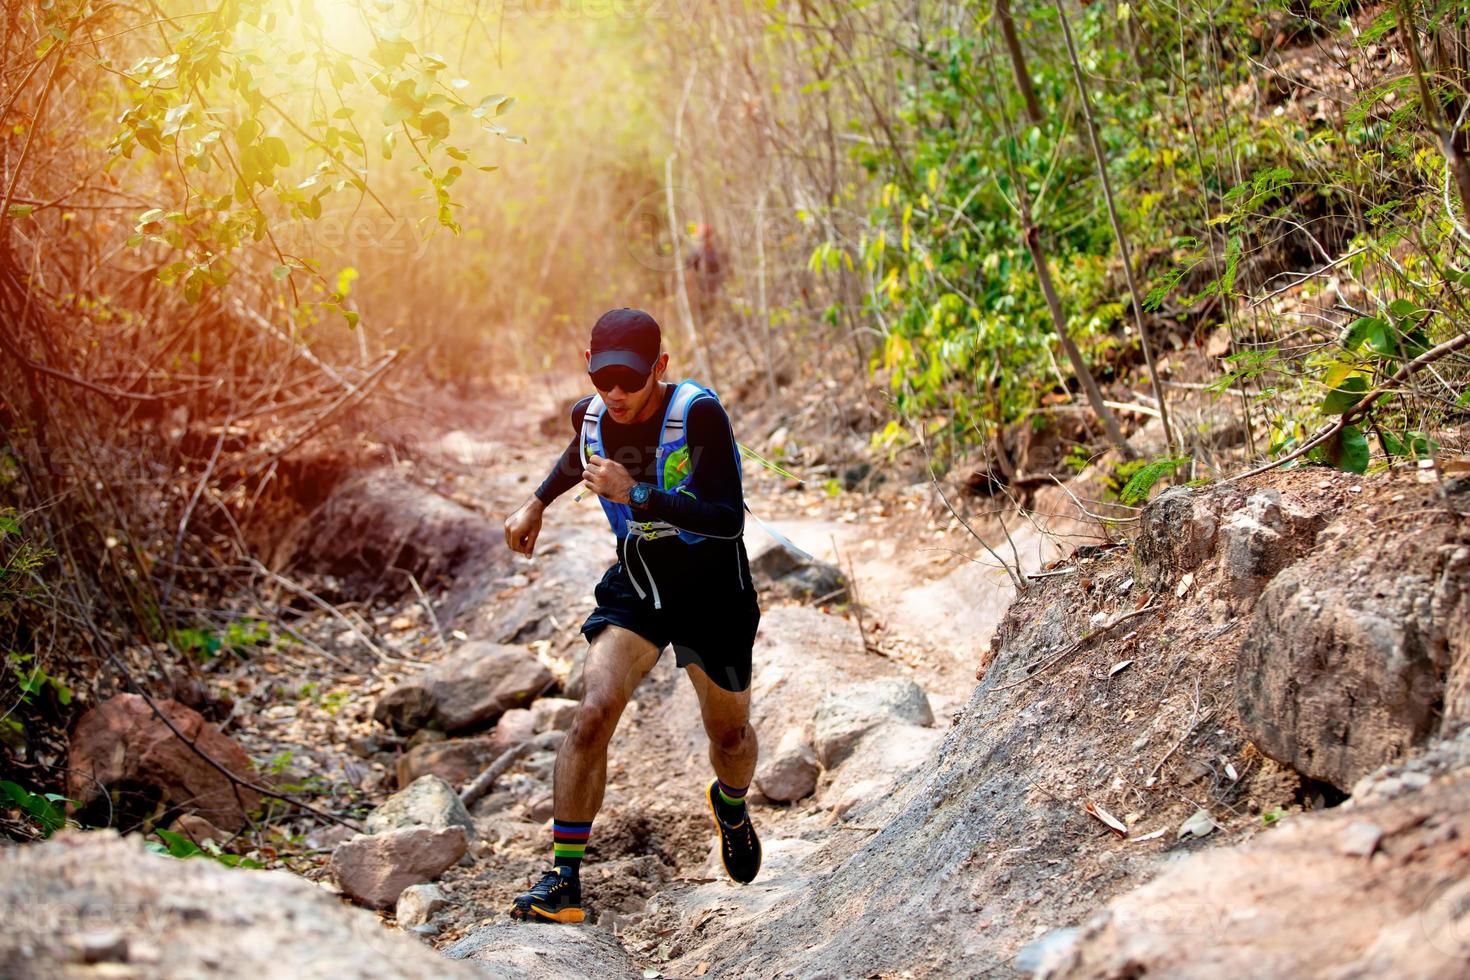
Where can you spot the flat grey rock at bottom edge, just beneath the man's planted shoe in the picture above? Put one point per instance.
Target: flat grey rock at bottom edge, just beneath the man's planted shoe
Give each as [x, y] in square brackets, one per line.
[520, 951]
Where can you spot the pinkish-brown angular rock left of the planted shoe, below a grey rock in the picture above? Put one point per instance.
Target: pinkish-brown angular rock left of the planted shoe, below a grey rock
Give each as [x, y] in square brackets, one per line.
[373, 869]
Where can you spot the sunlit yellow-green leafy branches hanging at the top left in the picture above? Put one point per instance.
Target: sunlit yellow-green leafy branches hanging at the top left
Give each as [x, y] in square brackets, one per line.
[271, 121]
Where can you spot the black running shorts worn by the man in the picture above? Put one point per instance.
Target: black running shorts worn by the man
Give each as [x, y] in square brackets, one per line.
[709, 624]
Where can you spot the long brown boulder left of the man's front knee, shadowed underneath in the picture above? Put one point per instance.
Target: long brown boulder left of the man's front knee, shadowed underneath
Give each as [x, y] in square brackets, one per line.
[467, 691]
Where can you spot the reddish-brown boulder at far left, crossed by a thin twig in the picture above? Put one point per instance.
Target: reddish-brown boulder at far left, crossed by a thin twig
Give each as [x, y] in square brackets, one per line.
[123, 746]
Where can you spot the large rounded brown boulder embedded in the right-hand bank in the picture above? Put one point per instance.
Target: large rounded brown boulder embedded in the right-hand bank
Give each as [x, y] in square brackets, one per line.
[1346, 662]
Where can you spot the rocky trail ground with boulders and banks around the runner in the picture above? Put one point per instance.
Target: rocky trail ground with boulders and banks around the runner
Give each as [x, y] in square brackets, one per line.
[1191, 756]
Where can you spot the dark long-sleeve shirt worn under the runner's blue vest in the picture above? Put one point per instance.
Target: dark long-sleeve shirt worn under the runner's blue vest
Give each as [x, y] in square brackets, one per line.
[718, 508]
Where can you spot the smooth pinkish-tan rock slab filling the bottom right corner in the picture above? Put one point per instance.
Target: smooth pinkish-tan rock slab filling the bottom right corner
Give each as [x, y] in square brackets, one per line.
[1290, 903]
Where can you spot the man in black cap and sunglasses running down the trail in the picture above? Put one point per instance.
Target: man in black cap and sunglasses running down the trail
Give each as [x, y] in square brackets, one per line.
[664, 462]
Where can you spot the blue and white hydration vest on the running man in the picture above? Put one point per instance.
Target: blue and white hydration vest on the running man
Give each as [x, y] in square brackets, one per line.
[673, 466]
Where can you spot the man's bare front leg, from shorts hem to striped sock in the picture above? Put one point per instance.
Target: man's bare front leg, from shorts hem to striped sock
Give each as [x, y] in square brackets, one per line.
[617, 662]
